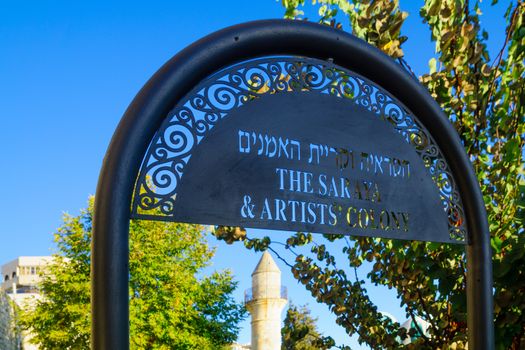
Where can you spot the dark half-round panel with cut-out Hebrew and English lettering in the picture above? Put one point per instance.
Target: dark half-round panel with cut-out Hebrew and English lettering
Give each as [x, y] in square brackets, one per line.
[303, 161]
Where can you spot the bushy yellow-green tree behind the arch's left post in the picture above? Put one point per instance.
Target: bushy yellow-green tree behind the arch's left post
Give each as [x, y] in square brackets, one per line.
[170, 306]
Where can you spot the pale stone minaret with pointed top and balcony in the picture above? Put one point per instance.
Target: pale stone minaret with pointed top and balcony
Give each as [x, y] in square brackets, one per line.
[265, 304]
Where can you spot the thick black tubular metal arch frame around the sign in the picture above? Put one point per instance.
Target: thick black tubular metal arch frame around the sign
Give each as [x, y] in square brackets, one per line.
[110, 252]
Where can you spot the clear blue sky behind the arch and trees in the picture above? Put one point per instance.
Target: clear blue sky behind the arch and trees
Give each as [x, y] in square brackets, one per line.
[68, 70]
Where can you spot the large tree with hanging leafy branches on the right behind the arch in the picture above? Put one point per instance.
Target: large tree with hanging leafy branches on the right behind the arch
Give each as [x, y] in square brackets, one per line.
[485, 100]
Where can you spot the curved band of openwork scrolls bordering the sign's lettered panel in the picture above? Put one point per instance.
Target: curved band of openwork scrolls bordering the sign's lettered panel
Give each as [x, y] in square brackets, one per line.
[212, 101]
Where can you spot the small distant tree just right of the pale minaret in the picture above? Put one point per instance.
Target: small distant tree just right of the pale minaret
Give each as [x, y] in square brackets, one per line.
[300, 332]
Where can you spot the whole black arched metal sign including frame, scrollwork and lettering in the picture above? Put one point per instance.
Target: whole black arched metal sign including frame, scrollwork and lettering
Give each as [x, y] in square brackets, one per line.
[257, 127]
